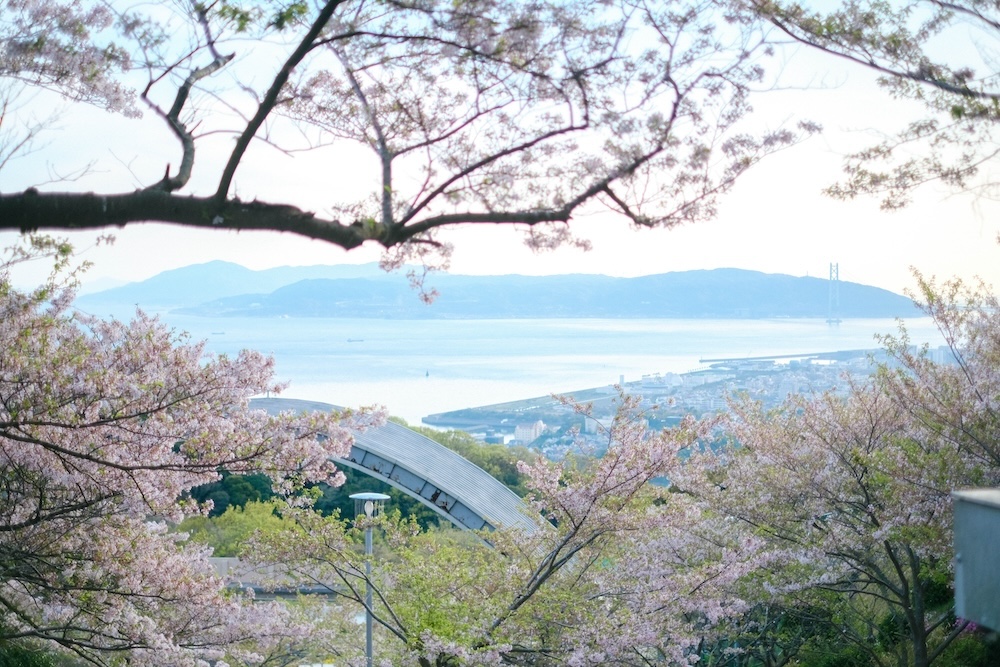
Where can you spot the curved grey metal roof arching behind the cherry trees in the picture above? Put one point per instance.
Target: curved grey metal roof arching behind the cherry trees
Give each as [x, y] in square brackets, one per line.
[452, 486]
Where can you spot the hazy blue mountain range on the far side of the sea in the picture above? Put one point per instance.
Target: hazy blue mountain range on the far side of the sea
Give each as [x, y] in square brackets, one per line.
[221, 289]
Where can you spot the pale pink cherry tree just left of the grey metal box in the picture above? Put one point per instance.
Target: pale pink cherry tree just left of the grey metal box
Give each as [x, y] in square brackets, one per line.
[852, 500]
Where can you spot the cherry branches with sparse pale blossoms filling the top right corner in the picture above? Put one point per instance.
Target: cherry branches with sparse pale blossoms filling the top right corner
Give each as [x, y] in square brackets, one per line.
[914, 48]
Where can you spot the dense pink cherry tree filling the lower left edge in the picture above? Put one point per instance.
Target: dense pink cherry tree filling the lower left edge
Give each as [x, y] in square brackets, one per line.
[104, 427]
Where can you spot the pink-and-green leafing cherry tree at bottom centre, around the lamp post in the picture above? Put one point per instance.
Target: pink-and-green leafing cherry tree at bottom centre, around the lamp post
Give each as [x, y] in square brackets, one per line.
[621, 570]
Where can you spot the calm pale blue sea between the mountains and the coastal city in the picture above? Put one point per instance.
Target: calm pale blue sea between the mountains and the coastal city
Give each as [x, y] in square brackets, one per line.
[420, 367]
